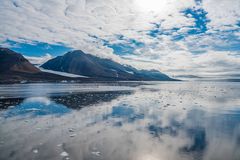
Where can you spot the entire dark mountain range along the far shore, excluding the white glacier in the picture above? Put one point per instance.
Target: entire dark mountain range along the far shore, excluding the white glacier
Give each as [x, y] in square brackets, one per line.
[15, 68]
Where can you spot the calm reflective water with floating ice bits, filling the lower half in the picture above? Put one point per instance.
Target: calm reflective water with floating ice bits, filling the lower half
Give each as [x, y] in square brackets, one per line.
[154, 121]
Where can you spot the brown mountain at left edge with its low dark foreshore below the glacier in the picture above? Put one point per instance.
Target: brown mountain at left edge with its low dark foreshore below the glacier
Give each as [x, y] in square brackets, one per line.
[14, 68]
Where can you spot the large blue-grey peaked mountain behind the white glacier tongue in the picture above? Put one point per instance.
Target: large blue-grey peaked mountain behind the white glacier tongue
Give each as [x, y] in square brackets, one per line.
[80, 63]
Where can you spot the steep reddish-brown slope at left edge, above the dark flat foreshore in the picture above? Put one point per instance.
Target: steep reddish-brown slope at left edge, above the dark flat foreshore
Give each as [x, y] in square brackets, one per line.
[11, 61]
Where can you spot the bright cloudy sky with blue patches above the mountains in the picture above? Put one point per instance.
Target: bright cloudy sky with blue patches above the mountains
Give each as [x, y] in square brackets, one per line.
[176, 37]
